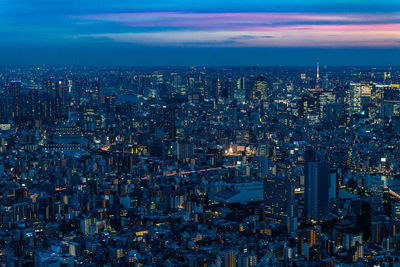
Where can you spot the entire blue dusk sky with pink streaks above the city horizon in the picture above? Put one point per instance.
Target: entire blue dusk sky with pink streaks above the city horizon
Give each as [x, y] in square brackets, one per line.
[149, 32]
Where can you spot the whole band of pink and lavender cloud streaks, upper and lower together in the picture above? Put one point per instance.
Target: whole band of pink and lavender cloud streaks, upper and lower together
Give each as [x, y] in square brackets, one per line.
[255, 29]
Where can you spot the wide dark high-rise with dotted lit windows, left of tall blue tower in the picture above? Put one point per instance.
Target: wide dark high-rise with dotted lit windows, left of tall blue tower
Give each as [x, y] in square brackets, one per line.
[279, 201]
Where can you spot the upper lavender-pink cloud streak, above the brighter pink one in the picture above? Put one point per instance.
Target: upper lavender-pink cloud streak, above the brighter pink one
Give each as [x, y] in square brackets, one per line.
[236, 20]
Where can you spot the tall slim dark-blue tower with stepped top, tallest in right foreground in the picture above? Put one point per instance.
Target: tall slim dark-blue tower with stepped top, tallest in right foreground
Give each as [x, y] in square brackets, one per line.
[316, 182]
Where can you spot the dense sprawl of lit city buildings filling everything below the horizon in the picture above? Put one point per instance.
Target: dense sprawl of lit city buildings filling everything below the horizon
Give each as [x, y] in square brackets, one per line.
[199, 166]
